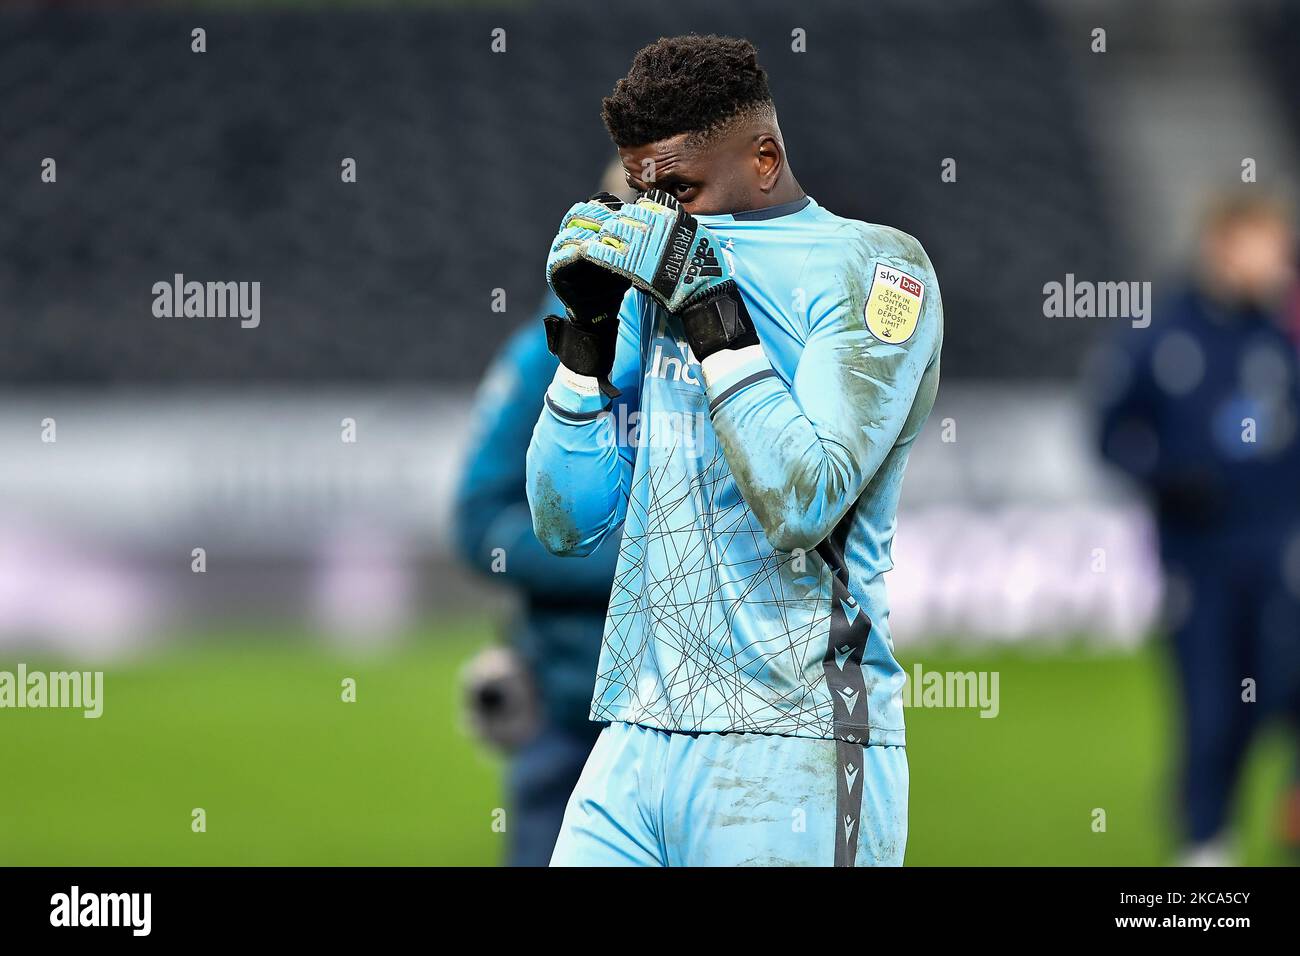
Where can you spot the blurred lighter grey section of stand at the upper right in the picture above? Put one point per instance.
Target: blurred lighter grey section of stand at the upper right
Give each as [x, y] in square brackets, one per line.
[1184, 94]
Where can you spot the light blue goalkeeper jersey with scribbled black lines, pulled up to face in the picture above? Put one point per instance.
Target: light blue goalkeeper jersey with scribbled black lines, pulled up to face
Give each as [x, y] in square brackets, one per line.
[756, 494]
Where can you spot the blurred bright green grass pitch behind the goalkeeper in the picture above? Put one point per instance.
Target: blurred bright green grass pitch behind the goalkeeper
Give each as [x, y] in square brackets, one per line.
[253, 730]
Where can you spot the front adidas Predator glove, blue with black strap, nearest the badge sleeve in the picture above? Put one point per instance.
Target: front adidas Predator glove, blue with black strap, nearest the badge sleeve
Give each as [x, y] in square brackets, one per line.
[665, 252]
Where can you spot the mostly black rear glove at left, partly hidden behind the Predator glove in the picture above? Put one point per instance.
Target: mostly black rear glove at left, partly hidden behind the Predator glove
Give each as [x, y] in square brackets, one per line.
[586, 339]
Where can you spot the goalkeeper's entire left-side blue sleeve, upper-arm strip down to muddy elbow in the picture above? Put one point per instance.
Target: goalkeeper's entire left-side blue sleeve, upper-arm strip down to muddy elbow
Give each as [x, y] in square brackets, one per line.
[580, 458]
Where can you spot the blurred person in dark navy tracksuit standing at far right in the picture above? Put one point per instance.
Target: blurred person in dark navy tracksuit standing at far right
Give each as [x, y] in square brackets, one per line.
[1203, 413]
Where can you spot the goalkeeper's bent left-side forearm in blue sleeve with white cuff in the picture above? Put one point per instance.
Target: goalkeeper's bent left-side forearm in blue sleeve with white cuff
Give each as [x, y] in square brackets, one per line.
[578, 482]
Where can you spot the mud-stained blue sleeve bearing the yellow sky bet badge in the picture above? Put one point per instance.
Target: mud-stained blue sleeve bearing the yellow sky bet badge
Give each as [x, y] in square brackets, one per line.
[803, 453]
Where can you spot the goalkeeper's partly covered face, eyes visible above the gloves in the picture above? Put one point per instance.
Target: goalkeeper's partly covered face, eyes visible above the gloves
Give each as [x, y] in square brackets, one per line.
[707, 180]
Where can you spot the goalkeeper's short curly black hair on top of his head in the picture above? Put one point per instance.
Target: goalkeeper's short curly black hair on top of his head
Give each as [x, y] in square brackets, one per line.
[695, 85]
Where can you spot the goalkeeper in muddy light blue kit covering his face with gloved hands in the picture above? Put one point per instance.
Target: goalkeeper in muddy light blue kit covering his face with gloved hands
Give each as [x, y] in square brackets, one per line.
[782, 361]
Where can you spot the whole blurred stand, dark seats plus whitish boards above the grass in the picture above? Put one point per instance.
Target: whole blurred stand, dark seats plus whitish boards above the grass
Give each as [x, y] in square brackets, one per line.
[378, 296]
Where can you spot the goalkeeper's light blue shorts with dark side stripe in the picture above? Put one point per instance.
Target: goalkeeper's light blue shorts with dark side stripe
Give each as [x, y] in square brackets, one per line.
[652, 798]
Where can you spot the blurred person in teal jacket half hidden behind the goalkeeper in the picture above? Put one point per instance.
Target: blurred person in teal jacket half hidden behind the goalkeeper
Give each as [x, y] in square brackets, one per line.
[531, 697]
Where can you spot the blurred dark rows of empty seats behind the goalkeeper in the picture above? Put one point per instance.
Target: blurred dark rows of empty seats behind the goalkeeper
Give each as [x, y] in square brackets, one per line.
[227, 167]
